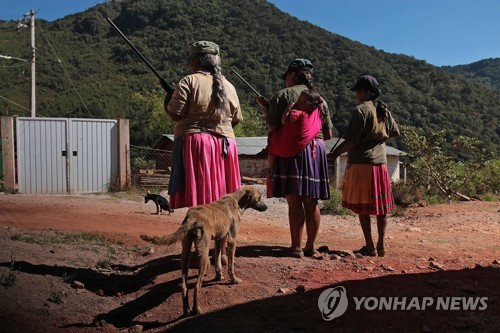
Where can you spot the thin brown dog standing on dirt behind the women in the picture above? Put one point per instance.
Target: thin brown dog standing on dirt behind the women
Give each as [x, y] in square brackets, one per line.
[202, 224]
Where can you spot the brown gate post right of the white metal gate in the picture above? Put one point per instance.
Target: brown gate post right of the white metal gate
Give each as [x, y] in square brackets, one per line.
[124, 173]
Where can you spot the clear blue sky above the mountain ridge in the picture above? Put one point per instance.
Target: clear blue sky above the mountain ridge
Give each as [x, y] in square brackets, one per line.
[441, 32]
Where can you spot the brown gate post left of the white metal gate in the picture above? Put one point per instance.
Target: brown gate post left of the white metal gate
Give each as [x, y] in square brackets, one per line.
[9, 159]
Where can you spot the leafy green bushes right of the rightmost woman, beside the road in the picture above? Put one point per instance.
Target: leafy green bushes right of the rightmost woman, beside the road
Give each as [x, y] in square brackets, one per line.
[464, 170]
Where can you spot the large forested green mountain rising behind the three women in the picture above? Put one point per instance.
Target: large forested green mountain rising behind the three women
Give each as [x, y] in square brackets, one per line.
[84, 69]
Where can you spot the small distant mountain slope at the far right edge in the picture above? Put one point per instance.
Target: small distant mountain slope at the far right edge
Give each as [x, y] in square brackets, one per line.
[486, 72]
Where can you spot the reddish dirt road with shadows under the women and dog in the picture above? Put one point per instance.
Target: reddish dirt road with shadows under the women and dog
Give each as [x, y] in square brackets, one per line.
[434, 253]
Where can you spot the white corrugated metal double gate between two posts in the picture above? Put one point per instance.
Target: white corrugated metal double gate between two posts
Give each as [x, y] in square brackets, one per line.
[59, 155]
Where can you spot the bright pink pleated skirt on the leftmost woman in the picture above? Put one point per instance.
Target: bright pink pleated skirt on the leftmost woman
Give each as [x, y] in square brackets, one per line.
[208, 174]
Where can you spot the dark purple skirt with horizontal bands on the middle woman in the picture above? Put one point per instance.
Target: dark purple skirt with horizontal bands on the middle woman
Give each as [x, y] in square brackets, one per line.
[305, 174]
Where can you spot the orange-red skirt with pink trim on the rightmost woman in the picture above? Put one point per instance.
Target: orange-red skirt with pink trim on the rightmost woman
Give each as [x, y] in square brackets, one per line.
[367, 189]
